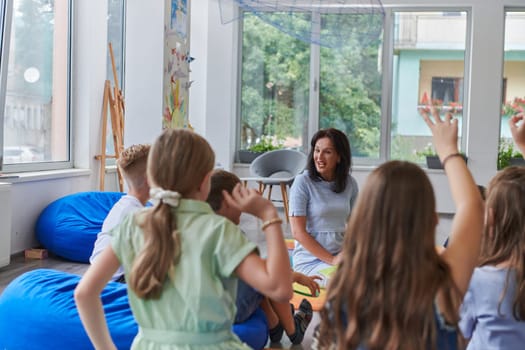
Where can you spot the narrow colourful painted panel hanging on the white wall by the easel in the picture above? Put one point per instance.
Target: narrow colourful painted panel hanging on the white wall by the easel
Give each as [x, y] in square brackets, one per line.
[176, 65]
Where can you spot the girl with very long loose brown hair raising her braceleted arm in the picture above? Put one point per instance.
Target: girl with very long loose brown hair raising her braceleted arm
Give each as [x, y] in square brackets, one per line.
[392, 290]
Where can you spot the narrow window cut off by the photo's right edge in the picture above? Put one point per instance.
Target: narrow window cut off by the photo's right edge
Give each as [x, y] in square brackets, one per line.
[513, 93]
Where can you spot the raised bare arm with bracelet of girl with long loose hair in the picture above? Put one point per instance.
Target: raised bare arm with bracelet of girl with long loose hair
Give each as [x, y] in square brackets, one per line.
[462, 253]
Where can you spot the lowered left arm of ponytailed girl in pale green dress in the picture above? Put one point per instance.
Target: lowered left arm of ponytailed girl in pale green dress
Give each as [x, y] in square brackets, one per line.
[87, 298]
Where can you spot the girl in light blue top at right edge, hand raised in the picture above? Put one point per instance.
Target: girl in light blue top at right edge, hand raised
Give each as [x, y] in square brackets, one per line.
[493, 312]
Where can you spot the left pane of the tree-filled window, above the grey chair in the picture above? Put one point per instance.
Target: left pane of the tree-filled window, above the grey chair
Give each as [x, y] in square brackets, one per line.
[275, 85]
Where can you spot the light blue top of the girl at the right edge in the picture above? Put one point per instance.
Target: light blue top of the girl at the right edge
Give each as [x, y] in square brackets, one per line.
[480, 320]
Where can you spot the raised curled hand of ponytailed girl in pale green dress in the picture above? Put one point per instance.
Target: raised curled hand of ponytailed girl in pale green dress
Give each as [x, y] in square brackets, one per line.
[250, 201]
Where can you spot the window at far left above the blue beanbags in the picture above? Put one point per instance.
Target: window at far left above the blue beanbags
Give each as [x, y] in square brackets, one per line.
[36, 125]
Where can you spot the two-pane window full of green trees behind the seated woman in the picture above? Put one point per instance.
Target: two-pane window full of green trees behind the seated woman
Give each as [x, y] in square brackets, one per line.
[290, 88]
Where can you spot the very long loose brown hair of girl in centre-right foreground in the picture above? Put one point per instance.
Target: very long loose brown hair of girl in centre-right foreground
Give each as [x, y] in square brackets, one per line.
[382, 295]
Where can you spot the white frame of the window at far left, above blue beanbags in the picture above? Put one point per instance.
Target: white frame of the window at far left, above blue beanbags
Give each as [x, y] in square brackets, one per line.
[46, 165]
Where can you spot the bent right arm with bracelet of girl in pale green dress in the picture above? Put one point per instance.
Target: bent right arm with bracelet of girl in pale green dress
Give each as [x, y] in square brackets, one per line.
[271, 276]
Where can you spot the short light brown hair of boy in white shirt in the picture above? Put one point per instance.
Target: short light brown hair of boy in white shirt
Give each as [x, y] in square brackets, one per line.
[132, 164]
